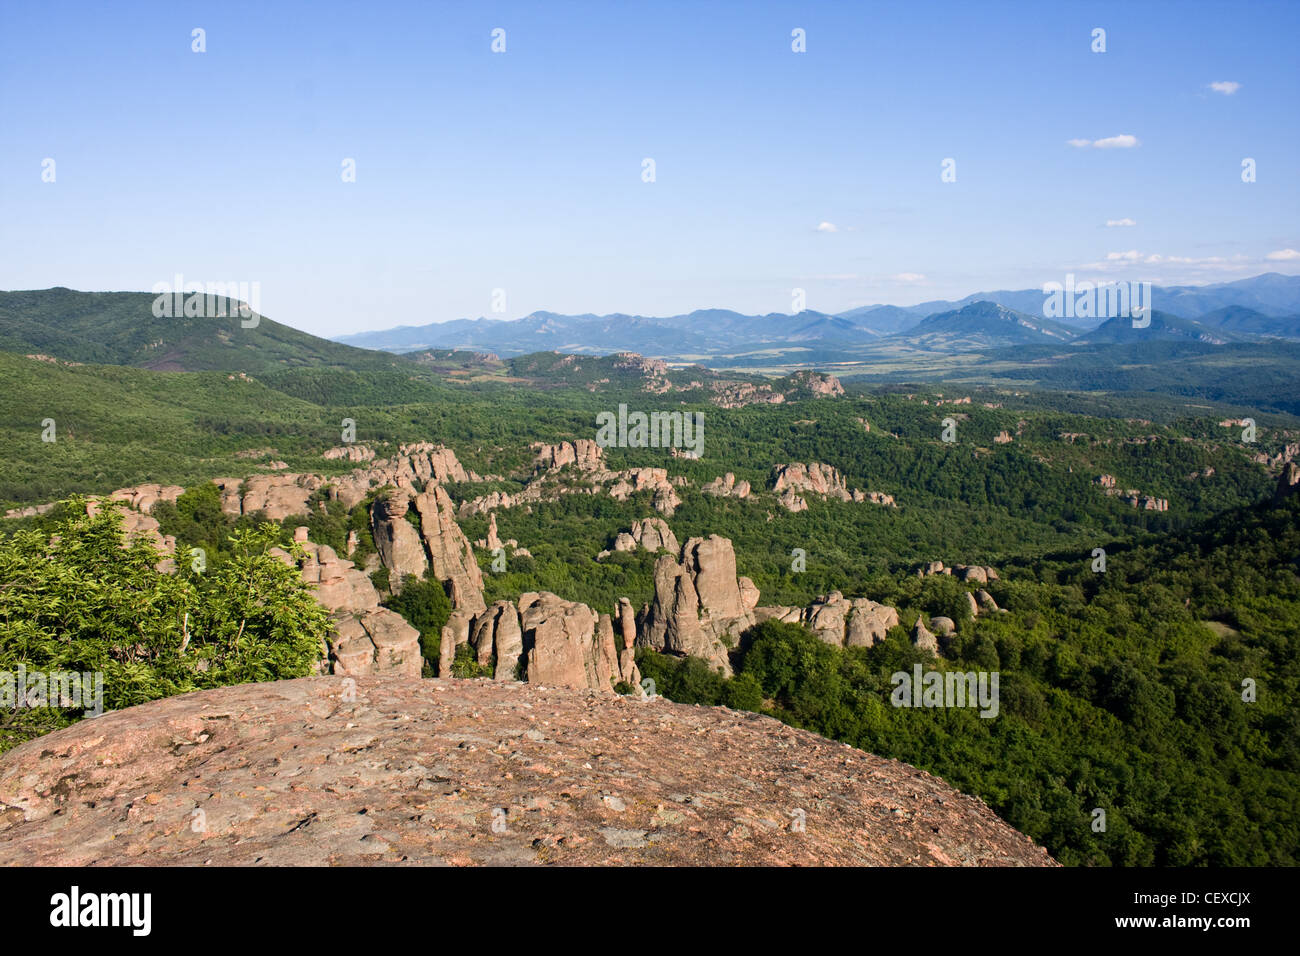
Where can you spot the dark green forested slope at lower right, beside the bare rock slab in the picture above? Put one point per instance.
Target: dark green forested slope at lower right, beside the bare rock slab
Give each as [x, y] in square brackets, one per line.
[1163, 693]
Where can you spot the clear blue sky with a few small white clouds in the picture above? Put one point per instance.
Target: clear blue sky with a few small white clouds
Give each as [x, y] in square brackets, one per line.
[523, 171]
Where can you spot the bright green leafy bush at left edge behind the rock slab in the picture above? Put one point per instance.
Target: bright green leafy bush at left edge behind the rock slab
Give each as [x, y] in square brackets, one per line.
[75, 599]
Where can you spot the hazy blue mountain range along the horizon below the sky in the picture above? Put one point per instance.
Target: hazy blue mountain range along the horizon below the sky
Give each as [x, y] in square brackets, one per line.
[1263, 306]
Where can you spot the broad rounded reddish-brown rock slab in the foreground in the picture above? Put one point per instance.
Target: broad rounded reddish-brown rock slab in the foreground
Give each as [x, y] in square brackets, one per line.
[385, 771]
